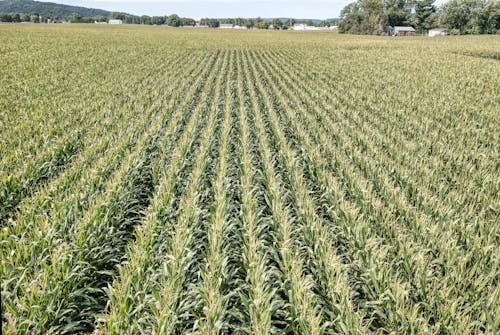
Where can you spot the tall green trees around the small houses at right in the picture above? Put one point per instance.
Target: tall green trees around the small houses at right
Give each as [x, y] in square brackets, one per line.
[459, 16]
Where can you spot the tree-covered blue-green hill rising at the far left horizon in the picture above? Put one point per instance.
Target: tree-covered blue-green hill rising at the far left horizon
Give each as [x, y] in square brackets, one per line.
[49, 9]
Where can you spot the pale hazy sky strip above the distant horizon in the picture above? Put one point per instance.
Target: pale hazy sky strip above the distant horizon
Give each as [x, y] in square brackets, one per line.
[315, 9]
